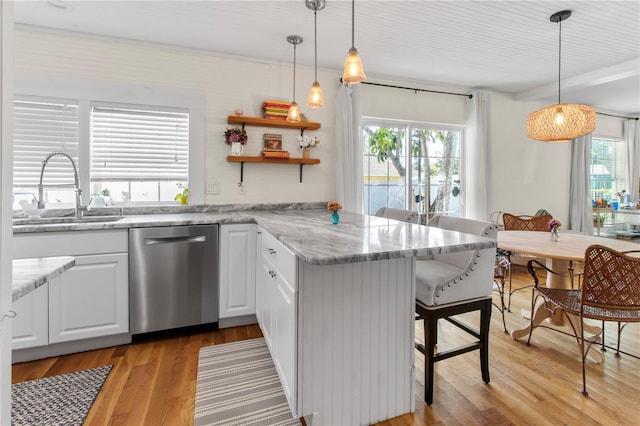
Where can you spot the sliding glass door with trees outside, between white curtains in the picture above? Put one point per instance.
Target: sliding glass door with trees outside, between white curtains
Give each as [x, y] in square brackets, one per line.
[429, 185]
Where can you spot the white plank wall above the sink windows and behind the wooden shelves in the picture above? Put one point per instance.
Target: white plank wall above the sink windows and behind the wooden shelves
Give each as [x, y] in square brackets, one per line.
[226, 83]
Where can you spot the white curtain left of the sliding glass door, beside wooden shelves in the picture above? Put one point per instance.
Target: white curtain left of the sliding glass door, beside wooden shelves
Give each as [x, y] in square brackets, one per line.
[348, 114]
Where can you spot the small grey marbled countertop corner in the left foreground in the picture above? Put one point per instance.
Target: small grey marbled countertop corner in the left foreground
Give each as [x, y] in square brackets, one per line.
[29, 274]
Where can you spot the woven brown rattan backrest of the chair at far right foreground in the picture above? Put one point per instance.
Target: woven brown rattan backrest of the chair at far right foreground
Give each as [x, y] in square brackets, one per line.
[611, 279]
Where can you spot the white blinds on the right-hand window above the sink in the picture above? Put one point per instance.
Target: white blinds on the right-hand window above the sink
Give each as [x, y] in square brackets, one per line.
[138, 144]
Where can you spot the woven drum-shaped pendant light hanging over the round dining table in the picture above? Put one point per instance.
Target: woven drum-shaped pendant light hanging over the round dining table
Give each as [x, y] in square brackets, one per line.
[561, 122]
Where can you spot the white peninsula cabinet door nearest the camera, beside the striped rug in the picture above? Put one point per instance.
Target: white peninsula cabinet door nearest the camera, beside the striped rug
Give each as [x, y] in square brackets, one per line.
[285, 336]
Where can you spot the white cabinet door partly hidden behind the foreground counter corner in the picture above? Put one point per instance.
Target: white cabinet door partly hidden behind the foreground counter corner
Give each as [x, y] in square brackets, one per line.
[30, 327]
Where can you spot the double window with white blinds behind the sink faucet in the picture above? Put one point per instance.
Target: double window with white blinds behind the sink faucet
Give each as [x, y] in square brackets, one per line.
[135, 154]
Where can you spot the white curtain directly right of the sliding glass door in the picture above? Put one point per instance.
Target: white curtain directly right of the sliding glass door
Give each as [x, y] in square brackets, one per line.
[477, 183]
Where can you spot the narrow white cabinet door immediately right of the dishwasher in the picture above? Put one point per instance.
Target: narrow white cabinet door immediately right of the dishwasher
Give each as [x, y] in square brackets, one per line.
[237, 270]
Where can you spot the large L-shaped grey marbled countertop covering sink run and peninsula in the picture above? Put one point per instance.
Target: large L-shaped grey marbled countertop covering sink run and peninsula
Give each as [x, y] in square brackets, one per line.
[307, 231]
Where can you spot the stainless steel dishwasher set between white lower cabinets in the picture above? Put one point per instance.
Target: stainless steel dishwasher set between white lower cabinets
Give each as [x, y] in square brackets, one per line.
[173, 277]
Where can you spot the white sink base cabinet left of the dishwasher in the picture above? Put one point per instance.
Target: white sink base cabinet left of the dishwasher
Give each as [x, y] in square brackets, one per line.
[89, 300]
